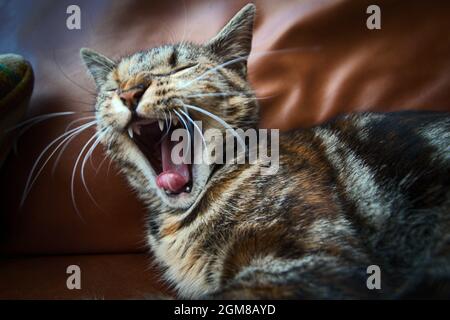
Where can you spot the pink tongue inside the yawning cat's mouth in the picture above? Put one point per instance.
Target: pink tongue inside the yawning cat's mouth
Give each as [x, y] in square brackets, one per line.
[174, 176]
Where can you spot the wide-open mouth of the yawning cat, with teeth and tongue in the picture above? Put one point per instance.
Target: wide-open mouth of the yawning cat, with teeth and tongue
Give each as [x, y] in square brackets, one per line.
[153, 138]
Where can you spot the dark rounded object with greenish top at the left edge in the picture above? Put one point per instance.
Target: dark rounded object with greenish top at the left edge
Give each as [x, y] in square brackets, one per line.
[16, 86]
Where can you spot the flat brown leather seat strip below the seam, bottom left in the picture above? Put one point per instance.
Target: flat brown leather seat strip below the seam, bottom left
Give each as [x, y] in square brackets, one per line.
[113, 276]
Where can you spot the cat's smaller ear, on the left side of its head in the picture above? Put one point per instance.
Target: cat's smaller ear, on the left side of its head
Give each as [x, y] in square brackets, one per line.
[98, 65]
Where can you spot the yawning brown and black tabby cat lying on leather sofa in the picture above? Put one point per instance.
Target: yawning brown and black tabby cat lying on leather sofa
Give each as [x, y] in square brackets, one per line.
[366, 189]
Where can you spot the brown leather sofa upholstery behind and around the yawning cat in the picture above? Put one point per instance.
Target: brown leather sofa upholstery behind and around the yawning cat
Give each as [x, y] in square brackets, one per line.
[311, 60]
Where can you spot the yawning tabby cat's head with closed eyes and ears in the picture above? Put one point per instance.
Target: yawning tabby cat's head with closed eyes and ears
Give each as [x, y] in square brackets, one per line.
[144, 97]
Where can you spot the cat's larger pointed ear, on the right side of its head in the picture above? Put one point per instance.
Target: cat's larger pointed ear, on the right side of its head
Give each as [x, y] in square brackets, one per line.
[235, 39]
